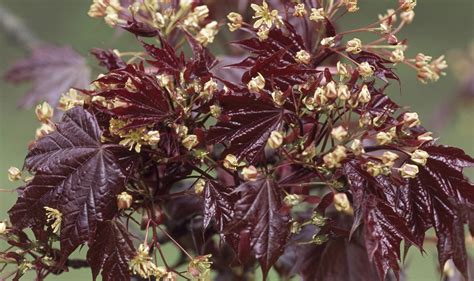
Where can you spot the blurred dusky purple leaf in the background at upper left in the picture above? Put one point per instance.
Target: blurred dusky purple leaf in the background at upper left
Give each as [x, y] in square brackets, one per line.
[53, 71]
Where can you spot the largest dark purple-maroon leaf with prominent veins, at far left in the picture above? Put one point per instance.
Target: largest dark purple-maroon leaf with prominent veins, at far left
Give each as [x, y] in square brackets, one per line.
[76, 174]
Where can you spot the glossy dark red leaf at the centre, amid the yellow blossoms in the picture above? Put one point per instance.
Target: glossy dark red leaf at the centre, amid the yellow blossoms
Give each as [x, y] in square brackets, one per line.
[248, 126]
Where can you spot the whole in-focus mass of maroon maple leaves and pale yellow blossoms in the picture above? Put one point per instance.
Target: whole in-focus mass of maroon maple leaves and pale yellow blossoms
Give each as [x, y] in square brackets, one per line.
[289, 156]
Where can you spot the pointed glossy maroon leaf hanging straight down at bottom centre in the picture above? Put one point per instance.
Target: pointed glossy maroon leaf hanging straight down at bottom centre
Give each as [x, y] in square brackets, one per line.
[259, 208]
